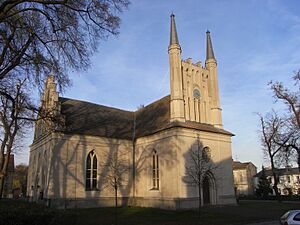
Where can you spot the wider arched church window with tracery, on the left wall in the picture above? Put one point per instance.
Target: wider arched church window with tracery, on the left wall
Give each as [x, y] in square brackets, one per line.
[91, 171]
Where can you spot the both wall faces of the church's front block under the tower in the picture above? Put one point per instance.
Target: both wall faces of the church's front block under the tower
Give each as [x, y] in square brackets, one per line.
[173, 147]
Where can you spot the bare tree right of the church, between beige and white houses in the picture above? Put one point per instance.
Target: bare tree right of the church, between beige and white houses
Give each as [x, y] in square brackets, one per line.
[272, 133]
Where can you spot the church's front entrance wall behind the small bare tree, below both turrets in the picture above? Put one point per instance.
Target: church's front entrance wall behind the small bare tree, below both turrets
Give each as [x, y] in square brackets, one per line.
[220, 146]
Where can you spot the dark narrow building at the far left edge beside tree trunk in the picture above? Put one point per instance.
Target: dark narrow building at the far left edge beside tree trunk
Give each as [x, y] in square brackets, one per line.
[8, 182]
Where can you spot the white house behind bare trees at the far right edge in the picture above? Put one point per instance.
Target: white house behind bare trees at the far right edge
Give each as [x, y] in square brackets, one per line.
[288, 182]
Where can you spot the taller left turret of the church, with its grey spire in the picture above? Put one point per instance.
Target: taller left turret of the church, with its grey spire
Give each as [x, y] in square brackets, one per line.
[177, 102]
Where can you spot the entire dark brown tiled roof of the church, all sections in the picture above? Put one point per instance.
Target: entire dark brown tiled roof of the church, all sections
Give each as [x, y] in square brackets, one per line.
[91, 119]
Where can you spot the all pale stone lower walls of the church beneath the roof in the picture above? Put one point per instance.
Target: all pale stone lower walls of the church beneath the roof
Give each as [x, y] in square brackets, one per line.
[64, 168]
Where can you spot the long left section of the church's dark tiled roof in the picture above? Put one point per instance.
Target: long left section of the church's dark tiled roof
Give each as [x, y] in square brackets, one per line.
[91, 119]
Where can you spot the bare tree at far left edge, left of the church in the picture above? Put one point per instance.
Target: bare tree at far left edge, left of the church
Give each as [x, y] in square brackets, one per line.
[13, 120]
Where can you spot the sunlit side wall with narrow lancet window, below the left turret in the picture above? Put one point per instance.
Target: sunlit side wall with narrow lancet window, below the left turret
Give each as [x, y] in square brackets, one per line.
[166, 147]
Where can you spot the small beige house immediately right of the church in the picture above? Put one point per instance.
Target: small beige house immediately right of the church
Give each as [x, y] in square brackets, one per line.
[243, 177]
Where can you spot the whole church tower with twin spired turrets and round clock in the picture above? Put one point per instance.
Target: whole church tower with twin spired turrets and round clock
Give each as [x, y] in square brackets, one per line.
[194, 89]
